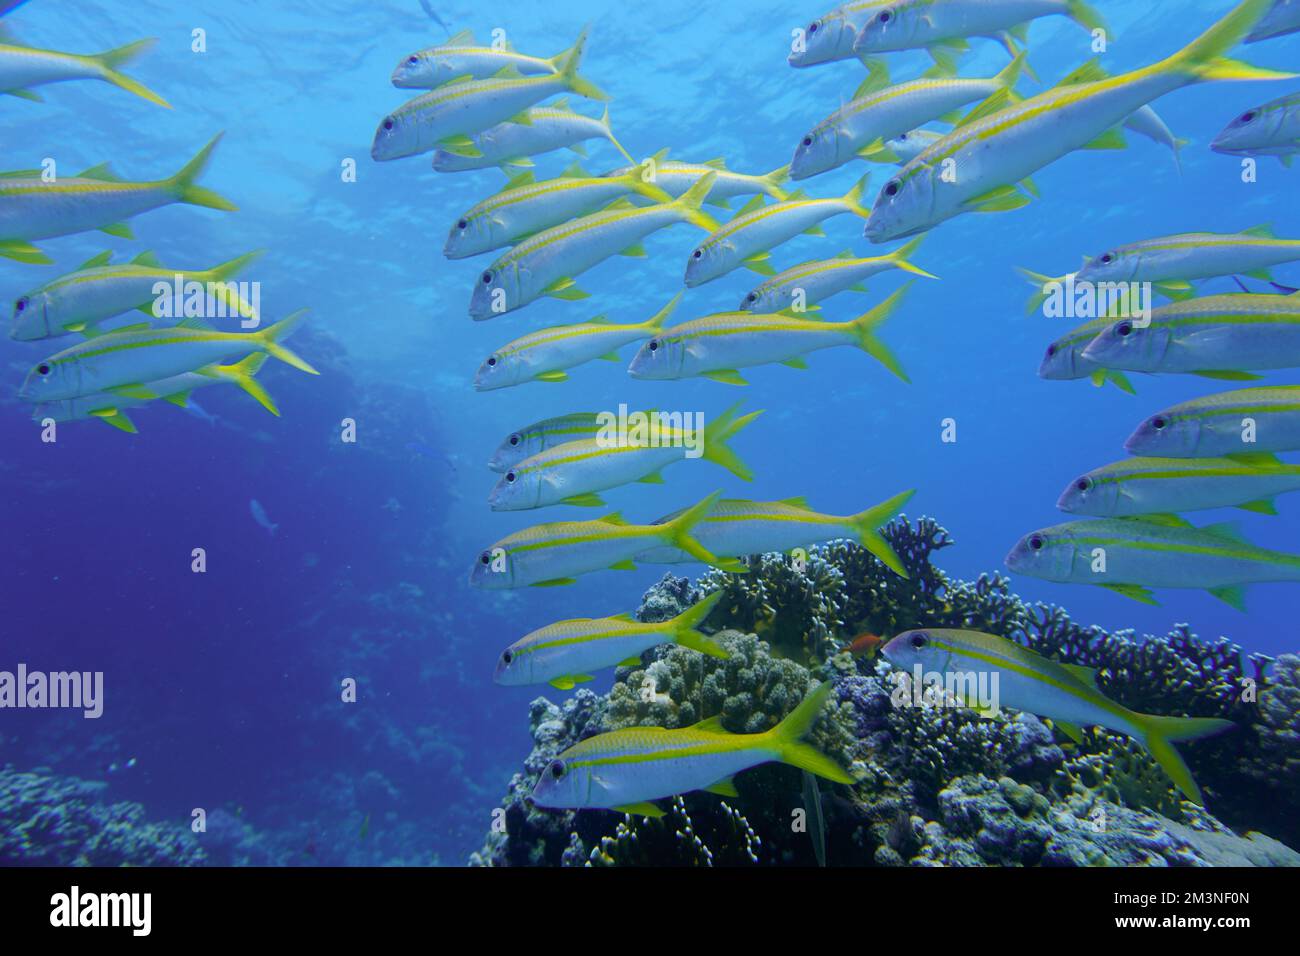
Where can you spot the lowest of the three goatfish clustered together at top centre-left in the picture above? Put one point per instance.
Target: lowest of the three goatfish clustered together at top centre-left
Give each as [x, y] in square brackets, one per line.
[510, 144]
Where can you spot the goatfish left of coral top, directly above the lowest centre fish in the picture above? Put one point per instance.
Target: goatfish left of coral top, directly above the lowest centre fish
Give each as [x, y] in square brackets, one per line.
[564, 654]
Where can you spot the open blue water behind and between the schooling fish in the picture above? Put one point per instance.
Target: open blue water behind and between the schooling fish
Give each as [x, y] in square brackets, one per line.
[226, 686]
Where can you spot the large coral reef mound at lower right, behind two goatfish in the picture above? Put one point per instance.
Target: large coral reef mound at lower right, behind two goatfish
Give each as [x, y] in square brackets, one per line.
[935, 785]
